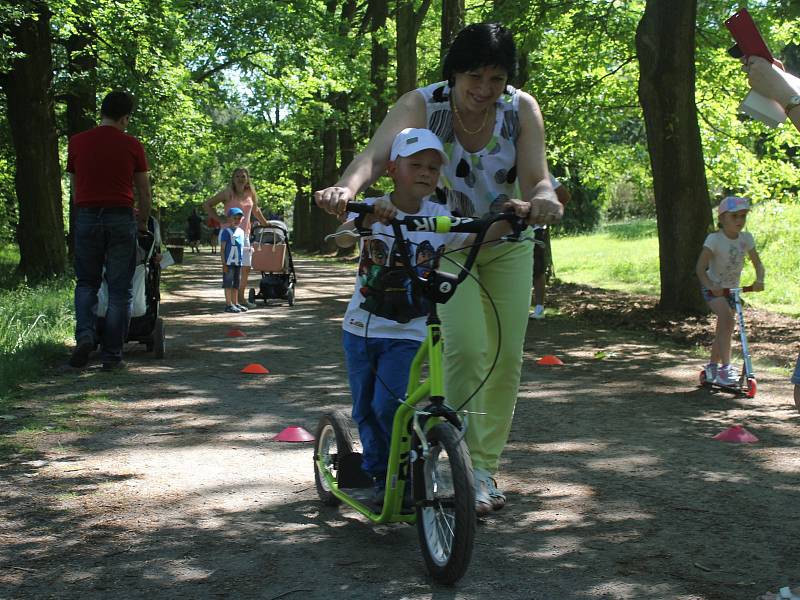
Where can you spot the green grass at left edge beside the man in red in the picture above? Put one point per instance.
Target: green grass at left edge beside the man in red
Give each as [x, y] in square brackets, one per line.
[35, 322]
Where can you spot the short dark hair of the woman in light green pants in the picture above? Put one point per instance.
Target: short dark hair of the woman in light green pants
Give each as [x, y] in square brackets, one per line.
[481, 45]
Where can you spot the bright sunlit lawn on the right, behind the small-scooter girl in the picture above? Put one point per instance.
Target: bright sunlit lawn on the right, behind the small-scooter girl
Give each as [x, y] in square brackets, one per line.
[624, 256]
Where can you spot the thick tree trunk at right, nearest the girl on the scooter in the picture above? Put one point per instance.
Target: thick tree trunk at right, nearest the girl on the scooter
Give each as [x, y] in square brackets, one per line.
[665, 44]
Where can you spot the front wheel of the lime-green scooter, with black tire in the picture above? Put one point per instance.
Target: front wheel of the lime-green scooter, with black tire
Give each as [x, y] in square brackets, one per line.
[445, 497]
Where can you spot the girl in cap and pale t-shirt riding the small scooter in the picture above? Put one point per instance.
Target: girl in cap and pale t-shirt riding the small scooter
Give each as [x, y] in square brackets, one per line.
[720, 267]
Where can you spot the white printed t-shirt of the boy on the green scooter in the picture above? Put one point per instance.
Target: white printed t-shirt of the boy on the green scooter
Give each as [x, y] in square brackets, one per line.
[376, 252]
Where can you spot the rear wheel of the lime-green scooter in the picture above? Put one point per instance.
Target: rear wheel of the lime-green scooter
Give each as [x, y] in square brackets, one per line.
[333, 442]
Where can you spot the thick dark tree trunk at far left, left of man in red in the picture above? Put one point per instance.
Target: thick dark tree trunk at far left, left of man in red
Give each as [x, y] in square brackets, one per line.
[31, 119]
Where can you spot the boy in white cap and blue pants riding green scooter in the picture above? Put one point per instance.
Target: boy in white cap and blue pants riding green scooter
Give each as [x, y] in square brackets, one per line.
[378, 365]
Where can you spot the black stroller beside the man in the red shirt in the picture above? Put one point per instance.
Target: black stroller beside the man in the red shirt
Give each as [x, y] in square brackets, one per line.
[146, 326]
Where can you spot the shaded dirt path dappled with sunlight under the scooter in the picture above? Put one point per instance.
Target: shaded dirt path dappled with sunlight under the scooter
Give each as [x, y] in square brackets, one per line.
[169, 486]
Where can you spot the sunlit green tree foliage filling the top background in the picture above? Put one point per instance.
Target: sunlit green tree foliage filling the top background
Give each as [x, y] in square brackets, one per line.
[258, 83]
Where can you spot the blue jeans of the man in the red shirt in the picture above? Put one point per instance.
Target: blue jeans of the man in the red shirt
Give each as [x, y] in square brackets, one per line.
[104, 238]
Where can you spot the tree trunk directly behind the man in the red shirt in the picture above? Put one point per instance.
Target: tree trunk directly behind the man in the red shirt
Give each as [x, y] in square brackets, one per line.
[81, 98]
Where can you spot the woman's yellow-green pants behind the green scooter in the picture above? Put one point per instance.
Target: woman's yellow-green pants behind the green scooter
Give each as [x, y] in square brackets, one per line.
[470, 332]
